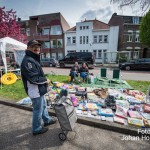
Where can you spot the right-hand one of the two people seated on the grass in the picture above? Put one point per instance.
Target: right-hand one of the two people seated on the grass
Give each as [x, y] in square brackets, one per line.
[84, 71]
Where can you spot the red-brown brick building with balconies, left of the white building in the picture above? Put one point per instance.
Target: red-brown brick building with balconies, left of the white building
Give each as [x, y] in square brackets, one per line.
[49, 29]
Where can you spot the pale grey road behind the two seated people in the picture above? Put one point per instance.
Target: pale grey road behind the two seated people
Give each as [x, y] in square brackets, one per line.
[125, 75]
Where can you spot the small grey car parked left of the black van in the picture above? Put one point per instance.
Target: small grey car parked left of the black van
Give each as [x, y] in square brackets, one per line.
[49, 62]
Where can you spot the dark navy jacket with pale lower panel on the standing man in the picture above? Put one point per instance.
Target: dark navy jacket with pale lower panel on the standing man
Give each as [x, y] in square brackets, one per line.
[34, 80]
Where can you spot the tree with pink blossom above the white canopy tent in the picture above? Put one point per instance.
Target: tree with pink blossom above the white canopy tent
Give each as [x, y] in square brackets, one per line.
[9, 27]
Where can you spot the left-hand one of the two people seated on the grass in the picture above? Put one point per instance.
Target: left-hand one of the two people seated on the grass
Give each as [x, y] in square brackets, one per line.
[74, 71]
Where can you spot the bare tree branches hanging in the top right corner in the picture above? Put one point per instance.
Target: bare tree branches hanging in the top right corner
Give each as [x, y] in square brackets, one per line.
[144, 4]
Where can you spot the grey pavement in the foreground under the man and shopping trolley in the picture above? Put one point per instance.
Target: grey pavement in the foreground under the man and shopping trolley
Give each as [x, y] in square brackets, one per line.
[15, 134]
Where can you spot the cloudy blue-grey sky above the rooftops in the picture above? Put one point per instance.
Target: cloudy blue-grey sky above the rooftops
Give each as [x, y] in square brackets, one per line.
[72, 10]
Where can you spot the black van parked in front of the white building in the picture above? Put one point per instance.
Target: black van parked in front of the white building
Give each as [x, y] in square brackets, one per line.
[80, 57]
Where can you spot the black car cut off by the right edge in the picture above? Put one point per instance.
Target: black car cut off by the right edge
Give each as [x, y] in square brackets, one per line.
[139, 64]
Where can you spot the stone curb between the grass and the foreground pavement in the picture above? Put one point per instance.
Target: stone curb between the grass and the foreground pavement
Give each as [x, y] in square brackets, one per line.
[86, 121]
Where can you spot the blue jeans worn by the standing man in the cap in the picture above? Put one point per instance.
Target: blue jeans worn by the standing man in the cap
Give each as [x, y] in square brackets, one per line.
[39, 112]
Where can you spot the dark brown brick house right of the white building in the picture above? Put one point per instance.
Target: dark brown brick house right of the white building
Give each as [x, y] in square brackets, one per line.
[129, 35]
